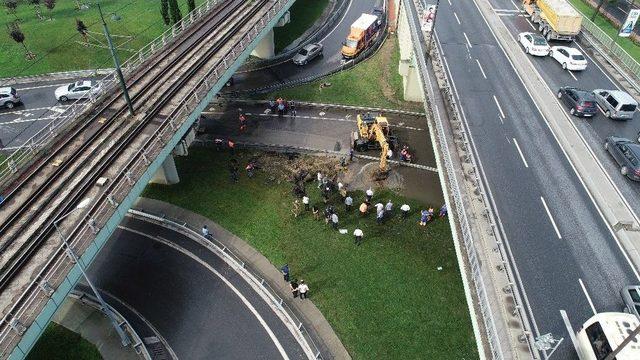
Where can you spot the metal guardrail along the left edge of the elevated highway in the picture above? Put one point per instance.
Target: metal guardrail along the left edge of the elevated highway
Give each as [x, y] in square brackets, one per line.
[496, 348]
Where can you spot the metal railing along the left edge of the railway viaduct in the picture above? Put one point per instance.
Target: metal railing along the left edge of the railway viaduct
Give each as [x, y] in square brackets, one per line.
[22, 156]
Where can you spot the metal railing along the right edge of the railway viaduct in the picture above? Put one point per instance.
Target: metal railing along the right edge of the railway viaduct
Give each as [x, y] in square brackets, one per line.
[29, 304]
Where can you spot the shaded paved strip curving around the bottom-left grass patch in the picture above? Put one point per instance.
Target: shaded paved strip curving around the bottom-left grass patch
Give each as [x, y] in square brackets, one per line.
[94, 326]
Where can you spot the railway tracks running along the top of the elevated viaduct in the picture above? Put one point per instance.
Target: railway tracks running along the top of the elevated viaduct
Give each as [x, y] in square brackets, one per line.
[30, 227]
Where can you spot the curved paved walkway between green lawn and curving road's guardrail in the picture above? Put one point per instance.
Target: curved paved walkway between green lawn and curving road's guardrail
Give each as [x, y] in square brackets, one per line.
[330, 346]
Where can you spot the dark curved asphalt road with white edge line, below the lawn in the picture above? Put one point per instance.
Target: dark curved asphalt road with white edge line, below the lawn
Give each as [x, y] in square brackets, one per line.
[200, 315]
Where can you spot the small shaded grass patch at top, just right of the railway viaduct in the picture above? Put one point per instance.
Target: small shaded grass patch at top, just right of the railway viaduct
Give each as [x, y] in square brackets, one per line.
[304, 13]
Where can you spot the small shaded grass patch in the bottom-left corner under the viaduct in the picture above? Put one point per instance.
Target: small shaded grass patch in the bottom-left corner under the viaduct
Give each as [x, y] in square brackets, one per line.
[60, 343]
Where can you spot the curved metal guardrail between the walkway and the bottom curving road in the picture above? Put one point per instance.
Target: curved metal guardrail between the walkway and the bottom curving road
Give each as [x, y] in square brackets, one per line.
[250, 274]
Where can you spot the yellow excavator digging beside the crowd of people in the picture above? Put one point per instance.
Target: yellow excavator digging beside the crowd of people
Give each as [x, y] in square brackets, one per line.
[374, 133]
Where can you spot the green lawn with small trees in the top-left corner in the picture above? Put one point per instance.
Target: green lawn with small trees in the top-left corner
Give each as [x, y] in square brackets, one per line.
[54, 41]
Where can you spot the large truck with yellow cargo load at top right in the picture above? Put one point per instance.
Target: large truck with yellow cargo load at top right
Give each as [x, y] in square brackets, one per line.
[556, 19]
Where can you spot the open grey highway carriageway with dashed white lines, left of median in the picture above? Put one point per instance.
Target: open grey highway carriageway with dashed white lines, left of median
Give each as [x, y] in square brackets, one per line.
[565, 256]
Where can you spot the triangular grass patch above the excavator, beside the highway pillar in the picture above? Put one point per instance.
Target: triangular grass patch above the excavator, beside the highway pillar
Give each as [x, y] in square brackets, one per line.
[374, 82]
